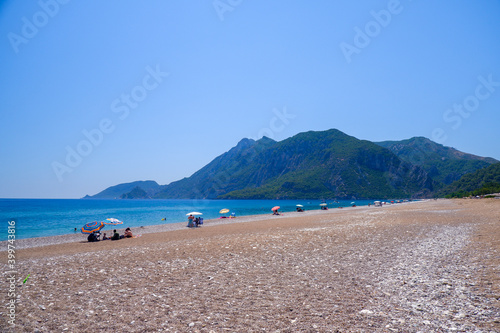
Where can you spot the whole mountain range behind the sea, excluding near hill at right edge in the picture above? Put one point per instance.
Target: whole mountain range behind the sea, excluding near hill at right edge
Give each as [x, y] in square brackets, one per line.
[326, 164]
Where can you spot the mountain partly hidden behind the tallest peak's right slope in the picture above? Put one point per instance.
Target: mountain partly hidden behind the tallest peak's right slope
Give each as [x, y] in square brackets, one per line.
[444, 164]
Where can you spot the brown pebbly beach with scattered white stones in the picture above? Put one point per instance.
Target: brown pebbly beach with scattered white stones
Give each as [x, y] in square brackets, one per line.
[415, 267]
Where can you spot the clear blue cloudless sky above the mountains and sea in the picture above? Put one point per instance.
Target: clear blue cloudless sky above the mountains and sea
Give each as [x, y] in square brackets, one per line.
[97, 93]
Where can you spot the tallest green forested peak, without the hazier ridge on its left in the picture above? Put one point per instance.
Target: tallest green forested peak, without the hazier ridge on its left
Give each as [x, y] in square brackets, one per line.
[330, 164]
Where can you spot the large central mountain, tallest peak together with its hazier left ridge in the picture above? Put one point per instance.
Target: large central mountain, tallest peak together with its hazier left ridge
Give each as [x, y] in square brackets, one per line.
[328, 164]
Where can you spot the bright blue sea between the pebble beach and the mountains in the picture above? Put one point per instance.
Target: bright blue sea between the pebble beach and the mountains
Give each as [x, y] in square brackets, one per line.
[30, 218]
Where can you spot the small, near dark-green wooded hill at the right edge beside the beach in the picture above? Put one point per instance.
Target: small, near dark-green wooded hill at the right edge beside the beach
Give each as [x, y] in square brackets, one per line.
[484, 181]
